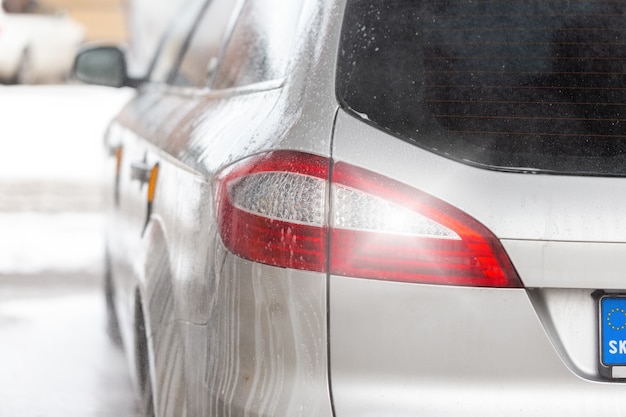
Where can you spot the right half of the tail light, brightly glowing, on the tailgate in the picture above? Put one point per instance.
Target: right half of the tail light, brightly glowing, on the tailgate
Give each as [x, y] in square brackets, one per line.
[383, 229]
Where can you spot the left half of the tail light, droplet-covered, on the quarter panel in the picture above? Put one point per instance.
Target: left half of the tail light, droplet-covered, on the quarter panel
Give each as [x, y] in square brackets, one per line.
[272, 210]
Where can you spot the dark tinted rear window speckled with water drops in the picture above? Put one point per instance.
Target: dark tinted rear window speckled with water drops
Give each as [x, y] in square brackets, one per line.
[534, 86]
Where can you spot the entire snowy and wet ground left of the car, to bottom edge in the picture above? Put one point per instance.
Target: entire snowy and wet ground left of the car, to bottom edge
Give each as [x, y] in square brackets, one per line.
[55, 356]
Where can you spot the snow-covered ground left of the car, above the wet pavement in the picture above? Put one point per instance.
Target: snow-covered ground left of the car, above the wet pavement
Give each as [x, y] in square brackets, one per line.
[50, 177]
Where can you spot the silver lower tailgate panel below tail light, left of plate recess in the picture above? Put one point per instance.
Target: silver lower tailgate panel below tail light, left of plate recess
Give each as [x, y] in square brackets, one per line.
[407, 350]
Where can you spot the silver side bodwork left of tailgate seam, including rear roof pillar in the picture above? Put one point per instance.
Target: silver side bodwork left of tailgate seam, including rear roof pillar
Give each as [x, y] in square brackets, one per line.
[227, 336]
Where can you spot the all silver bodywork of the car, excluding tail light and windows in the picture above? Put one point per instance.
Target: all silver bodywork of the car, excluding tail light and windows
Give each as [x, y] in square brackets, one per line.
[229, 336]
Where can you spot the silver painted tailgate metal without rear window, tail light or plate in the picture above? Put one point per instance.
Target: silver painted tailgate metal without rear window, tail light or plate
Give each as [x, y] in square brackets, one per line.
[567, 250]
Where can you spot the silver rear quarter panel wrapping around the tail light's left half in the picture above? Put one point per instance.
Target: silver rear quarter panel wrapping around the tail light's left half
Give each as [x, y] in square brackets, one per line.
[228, 336]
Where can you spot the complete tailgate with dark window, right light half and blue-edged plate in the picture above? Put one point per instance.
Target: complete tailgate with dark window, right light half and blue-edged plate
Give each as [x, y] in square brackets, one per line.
[477, 239]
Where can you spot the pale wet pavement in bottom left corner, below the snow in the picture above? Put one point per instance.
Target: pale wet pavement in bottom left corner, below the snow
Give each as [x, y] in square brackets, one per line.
[56, 358]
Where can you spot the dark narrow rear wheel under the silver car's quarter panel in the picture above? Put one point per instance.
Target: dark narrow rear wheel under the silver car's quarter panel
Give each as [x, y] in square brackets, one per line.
[143, 364]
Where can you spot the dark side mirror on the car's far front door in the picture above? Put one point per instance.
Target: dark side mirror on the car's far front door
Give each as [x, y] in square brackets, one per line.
[102, 65]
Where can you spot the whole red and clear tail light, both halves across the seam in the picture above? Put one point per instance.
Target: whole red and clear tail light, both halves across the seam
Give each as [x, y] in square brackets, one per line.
[273, 209]
